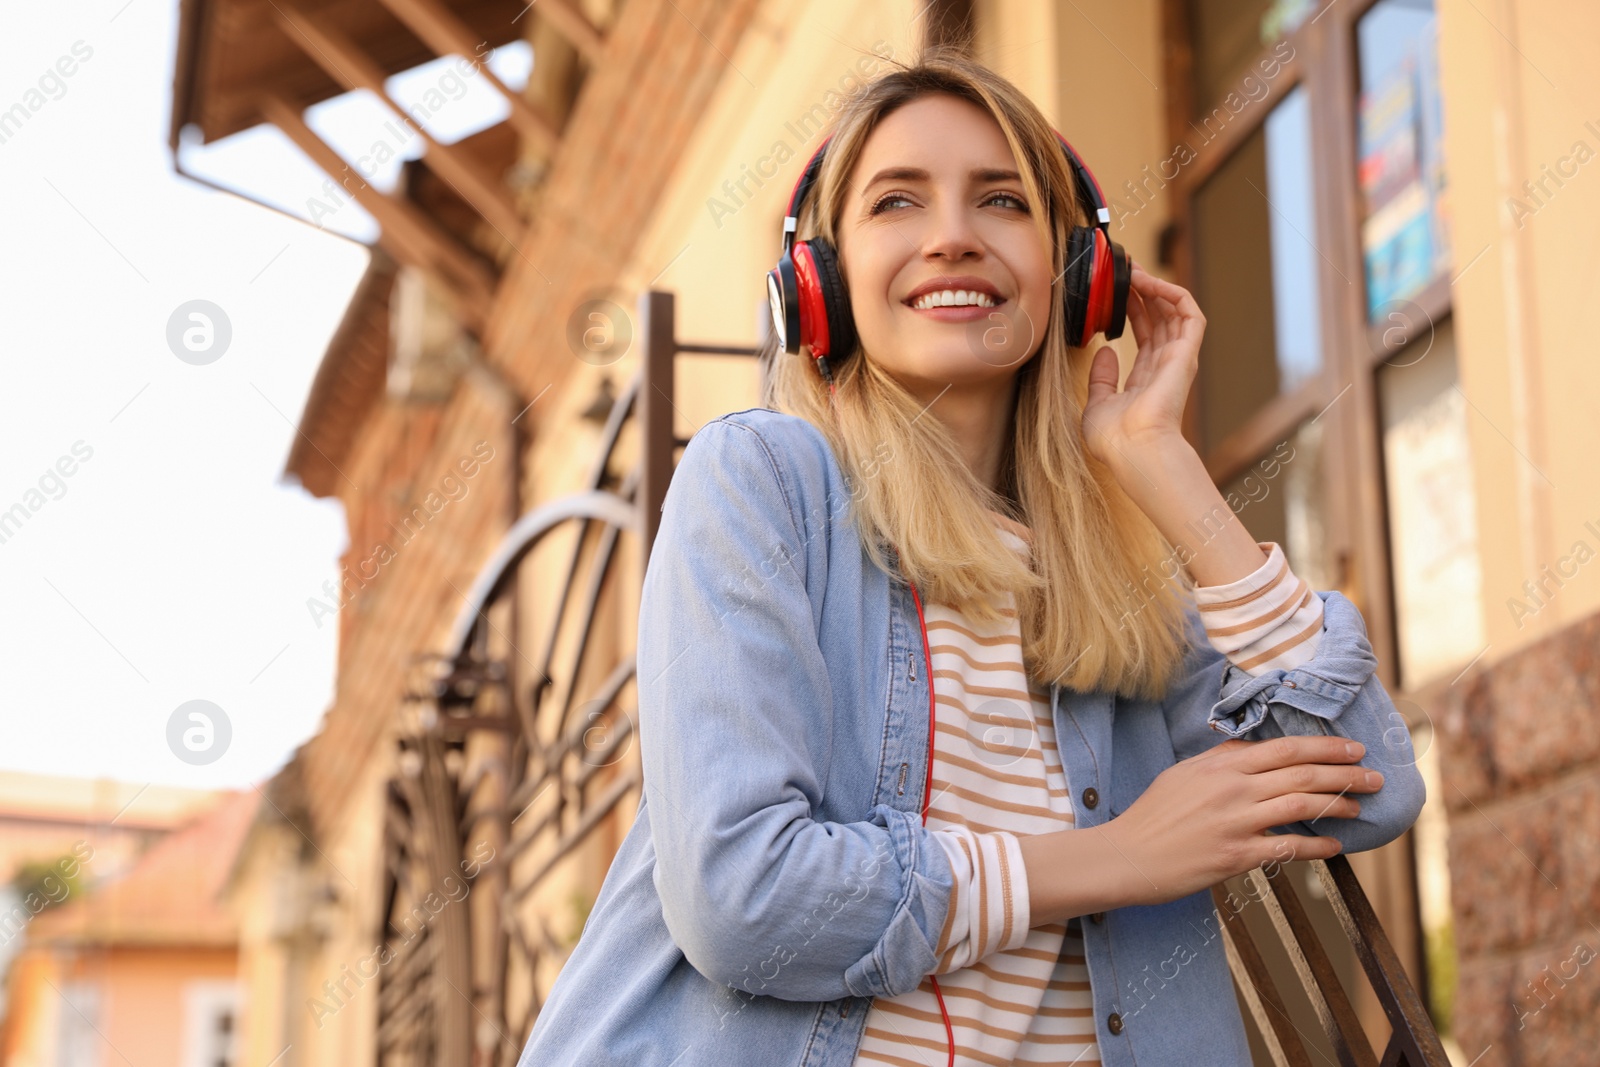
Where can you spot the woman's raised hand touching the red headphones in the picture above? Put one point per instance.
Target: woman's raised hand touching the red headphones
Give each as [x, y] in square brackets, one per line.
[1148, 414]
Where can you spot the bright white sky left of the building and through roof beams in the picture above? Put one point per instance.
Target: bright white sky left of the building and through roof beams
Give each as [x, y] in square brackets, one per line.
[172, 565]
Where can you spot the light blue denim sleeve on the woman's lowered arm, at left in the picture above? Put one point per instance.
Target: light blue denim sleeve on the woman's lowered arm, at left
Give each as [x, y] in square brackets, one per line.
[735, 713]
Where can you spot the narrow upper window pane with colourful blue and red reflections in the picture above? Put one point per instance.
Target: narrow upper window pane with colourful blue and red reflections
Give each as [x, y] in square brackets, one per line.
[1406, 225]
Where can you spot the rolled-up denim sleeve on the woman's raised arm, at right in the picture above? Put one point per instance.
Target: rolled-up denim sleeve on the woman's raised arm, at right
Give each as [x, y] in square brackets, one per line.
[1337, 692]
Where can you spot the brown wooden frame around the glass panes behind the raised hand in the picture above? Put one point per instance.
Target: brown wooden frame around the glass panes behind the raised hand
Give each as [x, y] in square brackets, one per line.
[1345, 394]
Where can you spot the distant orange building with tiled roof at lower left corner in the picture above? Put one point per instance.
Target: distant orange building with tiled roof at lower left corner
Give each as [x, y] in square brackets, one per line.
[142, 964]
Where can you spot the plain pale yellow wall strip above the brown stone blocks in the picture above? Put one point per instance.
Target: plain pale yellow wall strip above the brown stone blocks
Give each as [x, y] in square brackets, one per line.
[1522, 98]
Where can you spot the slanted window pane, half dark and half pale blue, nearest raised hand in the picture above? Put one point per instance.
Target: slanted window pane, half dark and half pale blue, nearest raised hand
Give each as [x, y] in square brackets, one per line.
[1257, 268]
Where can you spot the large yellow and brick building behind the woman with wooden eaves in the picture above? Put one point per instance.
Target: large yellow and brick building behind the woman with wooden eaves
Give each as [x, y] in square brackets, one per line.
[1385, 209]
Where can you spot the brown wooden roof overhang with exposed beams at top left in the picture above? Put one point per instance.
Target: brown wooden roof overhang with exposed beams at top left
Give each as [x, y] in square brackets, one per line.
[242, 63]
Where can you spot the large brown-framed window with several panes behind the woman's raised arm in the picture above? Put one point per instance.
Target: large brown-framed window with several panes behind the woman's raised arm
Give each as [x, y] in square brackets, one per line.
[1313, 228]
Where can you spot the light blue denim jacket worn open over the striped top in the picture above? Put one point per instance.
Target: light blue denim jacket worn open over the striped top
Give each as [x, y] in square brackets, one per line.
[778, 876]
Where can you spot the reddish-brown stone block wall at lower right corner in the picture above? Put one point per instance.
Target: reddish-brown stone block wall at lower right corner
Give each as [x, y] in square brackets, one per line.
[1522, 786]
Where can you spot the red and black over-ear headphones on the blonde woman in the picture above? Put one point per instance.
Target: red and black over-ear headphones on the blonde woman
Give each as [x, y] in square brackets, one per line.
[812, 308]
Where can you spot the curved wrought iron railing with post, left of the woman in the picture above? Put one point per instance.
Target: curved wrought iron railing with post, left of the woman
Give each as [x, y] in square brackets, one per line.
[513, 759]
